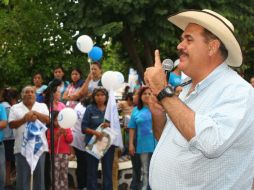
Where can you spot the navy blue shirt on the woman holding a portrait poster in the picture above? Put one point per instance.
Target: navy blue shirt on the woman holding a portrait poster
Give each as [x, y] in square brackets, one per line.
[93, 117]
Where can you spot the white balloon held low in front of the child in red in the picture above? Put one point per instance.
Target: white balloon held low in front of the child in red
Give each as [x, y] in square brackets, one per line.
[67, 118]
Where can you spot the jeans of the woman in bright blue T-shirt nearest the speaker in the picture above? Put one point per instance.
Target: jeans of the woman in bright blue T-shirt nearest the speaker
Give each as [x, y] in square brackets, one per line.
[145, 162]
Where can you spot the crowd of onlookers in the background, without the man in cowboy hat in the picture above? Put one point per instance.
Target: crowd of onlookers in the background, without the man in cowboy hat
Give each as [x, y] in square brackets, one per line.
[88, 99]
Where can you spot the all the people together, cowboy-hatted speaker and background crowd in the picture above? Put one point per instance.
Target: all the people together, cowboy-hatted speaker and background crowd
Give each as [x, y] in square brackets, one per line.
[191, 134]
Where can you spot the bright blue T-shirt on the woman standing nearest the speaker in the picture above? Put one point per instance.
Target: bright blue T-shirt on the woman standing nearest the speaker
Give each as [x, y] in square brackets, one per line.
[141, 120]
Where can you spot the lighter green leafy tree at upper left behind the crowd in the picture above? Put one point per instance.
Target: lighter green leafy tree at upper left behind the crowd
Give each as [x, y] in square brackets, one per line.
[32, 39]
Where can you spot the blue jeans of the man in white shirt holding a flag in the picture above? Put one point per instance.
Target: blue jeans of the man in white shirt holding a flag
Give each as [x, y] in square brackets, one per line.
[24, 173]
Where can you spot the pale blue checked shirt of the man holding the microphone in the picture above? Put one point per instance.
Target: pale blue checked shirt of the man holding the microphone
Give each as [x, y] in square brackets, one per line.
[221, 154]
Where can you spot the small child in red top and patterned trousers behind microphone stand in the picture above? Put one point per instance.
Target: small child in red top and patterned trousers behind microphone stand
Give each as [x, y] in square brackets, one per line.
[62, 139]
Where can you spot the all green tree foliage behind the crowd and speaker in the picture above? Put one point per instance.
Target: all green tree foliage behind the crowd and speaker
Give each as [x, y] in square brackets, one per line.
[38, 35]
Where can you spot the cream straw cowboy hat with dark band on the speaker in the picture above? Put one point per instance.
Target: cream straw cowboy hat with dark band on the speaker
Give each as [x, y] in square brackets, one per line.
[218, 25]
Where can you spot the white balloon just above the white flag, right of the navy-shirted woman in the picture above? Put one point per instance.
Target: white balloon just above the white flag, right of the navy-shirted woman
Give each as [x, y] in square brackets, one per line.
[112, 80]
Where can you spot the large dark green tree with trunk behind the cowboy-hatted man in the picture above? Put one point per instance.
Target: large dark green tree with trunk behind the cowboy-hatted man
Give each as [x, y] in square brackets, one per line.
[141, 26]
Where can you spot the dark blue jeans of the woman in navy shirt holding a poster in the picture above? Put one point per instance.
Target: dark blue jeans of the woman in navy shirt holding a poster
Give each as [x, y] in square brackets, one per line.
[92, 170]
